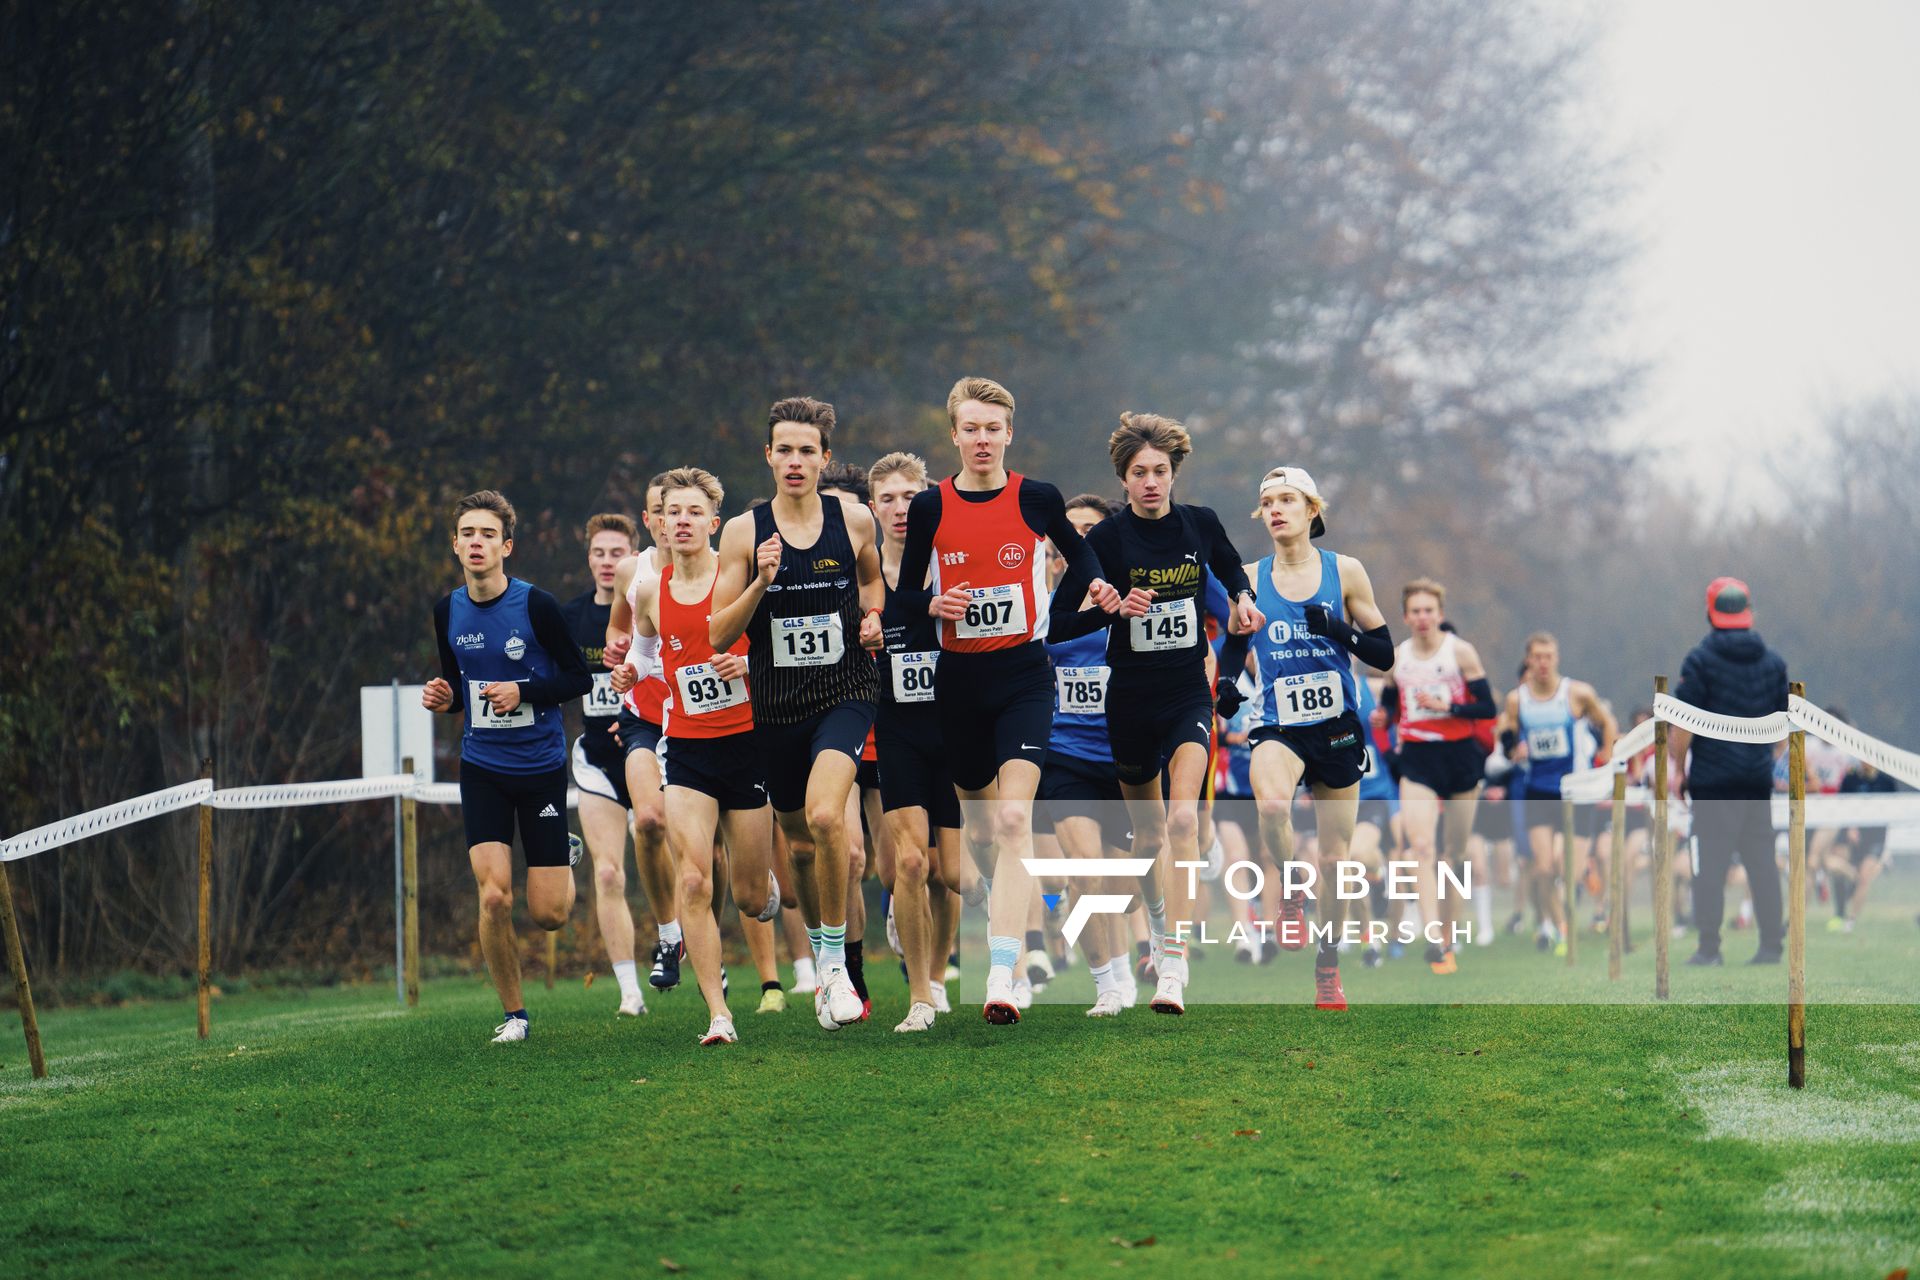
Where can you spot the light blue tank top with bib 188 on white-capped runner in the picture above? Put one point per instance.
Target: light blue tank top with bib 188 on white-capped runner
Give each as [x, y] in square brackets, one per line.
[1301, 678]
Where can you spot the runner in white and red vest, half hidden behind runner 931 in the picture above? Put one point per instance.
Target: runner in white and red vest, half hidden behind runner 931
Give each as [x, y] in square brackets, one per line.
[638, 728]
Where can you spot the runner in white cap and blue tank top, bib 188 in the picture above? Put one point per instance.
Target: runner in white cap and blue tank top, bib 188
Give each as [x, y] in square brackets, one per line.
[1308, 721]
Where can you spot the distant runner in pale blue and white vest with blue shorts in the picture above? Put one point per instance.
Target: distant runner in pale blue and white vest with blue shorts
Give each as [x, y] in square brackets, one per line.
[1537, 726]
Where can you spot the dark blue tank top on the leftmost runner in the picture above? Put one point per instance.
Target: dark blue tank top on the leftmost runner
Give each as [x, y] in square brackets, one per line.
[492, 644]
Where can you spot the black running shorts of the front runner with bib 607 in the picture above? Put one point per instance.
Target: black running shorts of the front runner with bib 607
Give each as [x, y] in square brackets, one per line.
[994, 707]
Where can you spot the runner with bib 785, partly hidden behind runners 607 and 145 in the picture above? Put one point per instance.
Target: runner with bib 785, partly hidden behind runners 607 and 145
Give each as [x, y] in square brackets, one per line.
[1080, 794]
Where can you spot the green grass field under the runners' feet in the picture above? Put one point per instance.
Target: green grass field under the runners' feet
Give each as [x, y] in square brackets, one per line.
[331, 1133]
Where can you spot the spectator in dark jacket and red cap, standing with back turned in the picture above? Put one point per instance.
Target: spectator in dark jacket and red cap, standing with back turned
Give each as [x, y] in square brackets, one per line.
[1733, 673]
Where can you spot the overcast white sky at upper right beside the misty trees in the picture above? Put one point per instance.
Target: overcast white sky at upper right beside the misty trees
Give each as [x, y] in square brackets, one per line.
[1777, 151]
